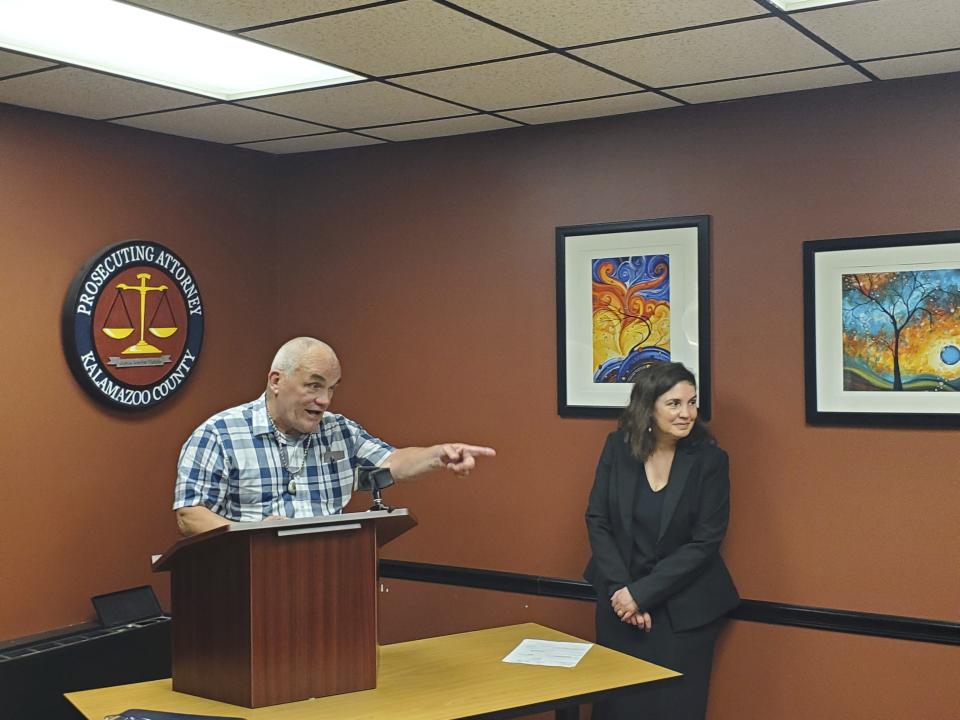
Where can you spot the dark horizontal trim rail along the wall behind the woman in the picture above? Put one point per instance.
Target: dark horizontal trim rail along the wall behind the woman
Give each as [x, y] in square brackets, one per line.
[845, 621]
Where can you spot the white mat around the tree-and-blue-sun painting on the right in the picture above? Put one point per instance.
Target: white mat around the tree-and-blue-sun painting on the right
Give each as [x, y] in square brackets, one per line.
[829, 267]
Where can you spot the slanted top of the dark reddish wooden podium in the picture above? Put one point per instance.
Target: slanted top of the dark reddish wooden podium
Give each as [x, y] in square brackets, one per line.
[390, 524]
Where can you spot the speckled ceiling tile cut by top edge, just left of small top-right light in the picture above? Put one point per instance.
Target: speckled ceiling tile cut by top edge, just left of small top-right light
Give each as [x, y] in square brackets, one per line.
[572, 22]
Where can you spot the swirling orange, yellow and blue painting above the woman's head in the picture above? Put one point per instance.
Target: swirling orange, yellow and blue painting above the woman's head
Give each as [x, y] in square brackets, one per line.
[631, 315]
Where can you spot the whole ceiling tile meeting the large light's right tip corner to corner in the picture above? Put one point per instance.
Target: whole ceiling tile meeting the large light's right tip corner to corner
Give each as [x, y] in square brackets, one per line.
[517, 83]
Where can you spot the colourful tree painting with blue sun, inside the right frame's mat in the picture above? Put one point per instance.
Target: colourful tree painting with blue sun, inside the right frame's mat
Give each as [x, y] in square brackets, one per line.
[901, 330]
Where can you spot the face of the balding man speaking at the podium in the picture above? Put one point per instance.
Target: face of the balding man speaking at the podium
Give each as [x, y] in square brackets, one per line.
[303, 394]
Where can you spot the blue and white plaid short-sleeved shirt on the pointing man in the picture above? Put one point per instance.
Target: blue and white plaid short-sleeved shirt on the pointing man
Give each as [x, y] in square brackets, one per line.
[231, 465]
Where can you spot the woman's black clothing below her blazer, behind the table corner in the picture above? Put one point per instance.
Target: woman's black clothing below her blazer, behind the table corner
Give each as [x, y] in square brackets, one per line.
[689, 652]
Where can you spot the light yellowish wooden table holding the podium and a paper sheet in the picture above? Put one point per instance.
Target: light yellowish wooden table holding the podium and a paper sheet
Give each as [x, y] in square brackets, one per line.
[441, 678]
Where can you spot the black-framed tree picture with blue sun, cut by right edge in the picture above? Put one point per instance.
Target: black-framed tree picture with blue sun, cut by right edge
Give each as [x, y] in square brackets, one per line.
[882, 330]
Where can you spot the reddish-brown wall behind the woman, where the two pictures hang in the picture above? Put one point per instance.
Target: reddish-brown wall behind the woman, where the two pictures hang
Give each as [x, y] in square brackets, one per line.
[431, 269]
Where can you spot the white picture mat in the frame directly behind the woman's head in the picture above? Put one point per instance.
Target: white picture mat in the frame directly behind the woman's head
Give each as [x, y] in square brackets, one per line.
[681, 245]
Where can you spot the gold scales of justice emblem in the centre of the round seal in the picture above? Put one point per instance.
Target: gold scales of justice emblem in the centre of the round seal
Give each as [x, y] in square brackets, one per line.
[160, 326]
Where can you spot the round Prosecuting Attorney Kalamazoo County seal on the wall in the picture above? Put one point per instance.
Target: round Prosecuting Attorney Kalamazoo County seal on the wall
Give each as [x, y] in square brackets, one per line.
[133, 324]
